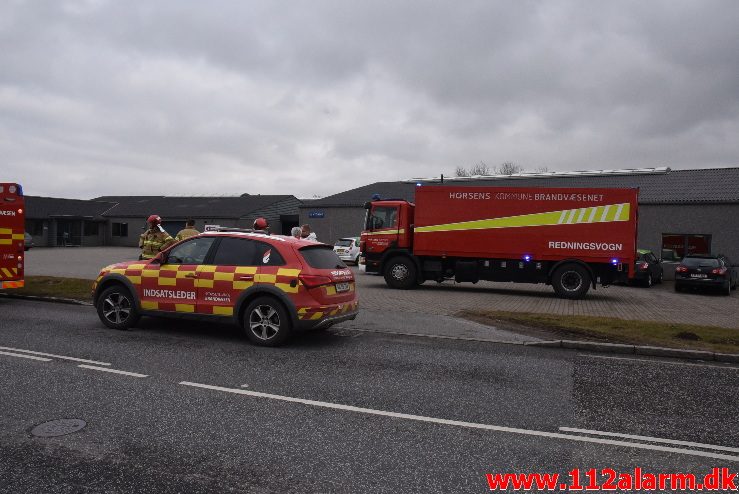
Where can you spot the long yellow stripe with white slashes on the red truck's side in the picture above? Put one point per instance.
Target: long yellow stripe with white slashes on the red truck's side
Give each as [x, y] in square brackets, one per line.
[597, 214]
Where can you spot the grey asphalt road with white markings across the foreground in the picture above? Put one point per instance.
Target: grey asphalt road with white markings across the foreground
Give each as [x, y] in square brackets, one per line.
[386, 413]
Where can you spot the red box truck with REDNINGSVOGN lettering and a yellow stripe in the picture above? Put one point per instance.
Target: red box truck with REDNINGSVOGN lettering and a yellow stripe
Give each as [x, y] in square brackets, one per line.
[570, 238]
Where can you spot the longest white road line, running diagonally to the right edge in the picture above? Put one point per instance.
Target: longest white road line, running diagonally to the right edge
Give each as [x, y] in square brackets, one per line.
[471, 425]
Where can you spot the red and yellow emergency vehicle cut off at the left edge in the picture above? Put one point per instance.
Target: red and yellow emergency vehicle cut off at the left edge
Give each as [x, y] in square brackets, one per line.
[12, 235]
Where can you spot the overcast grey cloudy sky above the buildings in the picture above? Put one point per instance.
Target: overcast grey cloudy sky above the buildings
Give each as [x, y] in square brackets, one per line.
[317, 97]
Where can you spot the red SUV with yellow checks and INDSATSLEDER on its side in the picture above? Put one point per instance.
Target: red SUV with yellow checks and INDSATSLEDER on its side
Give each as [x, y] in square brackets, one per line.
[270, 285]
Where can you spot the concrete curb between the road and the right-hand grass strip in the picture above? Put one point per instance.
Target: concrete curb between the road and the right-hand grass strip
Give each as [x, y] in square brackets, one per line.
[652, 351]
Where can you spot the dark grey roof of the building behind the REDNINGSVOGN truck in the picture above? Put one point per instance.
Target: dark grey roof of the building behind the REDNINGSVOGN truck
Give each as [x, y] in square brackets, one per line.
[662, 186]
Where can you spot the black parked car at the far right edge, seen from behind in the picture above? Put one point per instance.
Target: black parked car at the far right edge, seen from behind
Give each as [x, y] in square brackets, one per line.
[715, 272]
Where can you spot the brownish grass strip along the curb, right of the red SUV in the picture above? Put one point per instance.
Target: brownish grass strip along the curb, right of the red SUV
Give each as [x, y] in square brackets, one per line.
[614, 330]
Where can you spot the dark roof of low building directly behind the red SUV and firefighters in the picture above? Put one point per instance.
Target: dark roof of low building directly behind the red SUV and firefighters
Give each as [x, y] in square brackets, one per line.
[190, 207]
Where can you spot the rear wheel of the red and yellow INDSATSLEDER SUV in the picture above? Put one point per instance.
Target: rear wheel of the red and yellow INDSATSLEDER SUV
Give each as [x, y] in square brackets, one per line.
[266, 322]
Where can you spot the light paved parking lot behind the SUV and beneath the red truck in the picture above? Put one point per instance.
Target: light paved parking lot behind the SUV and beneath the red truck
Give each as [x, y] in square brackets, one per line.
[659, 303]
